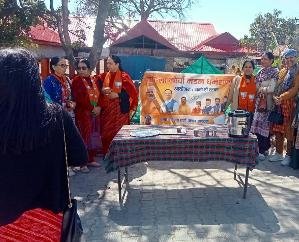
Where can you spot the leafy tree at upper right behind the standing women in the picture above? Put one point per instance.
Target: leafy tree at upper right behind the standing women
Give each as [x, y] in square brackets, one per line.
[270, 30]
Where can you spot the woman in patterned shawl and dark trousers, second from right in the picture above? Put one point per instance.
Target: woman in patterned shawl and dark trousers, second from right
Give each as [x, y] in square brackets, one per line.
[265, 83]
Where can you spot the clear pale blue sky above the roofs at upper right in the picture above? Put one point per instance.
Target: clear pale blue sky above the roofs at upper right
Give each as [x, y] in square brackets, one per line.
[233, 16]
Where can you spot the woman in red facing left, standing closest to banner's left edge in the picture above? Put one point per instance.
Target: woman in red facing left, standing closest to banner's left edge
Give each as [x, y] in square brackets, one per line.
[119, 100]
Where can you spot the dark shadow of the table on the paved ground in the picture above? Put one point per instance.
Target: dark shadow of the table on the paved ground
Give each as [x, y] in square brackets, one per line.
[205, 206]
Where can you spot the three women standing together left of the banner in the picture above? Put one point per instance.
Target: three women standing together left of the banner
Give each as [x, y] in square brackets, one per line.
[102, 104]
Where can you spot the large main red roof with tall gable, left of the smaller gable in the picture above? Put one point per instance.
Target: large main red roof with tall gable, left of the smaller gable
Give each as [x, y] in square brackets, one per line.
[175, 35]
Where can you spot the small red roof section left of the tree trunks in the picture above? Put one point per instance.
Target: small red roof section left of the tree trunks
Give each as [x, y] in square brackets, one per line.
[44, 34]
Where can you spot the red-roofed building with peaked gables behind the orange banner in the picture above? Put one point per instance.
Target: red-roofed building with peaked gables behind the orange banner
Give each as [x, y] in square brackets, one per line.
[179, 42]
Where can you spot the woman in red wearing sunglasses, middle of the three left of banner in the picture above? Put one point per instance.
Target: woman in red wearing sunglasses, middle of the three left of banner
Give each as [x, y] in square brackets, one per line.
[86, 95]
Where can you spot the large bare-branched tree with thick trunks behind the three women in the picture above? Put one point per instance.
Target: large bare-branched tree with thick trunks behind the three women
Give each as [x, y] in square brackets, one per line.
[109, 17]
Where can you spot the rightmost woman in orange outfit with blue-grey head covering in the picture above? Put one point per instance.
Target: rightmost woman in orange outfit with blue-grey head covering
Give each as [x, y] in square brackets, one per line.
[284, 95]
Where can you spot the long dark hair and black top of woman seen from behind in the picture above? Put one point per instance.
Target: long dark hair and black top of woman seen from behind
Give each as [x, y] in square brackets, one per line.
[32, 155]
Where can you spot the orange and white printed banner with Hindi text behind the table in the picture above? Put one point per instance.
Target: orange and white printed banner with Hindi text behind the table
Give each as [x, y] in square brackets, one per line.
[181, 98]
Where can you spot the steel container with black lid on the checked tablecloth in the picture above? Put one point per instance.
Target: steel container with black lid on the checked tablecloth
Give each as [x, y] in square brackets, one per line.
[238, 123]
